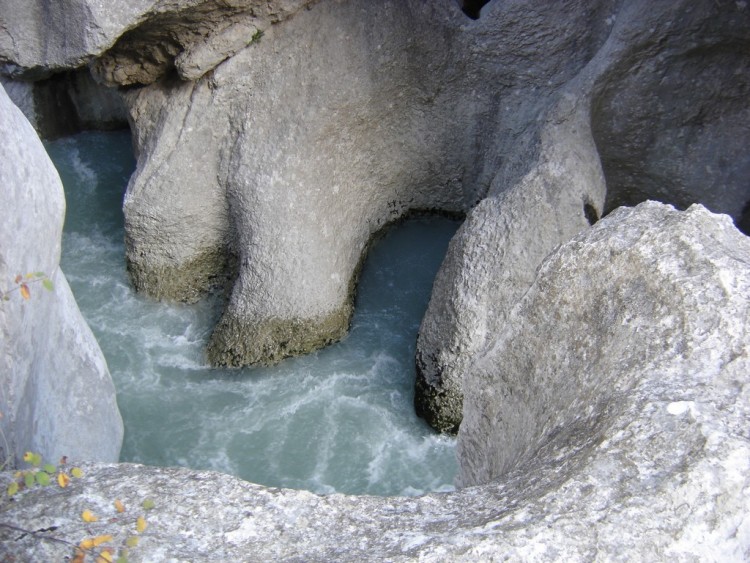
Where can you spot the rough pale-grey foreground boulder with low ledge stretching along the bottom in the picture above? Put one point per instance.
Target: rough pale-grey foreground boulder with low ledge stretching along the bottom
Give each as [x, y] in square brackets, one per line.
[608, 422]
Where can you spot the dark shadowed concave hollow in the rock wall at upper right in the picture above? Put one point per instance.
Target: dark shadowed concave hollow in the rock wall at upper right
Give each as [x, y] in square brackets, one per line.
[671, 120]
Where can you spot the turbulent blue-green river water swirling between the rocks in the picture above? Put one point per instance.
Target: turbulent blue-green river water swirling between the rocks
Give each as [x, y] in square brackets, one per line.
[337, 420]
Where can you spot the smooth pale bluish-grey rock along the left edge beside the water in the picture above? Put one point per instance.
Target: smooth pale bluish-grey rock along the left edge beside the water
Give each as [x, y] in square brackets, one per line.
[56, 393]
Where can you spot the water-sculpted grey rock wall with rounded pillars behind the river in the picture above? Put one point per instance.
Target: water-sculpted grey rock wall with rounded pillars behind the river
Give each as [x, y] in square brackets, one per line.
[277, 137]
